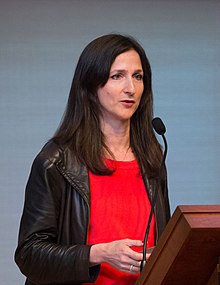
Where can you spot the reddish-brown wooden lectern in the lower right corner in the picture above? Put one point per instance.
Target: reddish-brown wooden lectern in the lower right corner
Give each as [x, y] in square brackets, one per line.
[188, 251]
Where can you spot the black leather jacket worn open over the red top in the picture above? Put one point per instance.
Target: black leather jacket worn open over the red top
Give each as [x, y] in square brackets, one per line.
[53, 233]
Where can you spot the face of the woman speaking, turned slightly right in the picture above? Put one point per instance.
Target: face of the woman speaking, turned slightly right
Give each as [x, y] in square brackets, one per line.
[121, 95]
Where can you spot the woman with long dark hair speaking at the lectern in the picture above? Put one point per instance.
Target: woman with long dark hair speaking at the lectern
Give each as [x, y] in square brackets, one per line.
[89, 193]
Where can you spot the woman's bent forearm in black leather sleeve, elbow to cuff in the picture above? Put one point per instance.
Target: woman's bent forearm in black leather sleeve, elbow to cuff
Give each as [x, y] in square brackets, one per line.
[44, 262]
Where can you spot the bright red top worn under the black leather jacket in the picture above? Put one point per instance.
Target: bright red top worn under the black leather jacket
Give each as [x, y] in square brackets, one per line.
[119, 209]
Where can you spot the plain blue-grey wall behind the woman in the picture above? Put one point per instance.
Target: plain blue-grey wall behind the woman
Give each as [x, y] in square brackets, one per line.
[40, 42]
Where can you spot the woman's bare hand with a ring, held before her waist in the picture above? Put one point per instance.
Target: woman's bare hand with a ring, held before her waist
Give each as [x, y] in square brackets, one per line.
[118, 254]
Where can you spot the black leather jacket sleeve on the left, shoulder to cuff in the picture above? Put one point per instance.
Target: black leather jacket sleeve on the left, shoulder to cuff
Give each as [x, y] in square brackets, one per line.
[38, 254]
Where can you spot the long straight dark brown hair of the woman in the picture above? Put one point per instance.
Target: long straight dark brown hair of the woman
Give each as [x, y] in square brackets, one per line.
[80, 126]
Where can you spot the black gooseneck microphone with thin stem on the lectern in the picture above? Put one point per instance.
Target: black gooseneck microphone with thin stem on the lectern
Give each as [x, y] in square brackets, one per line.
[160, 129]
